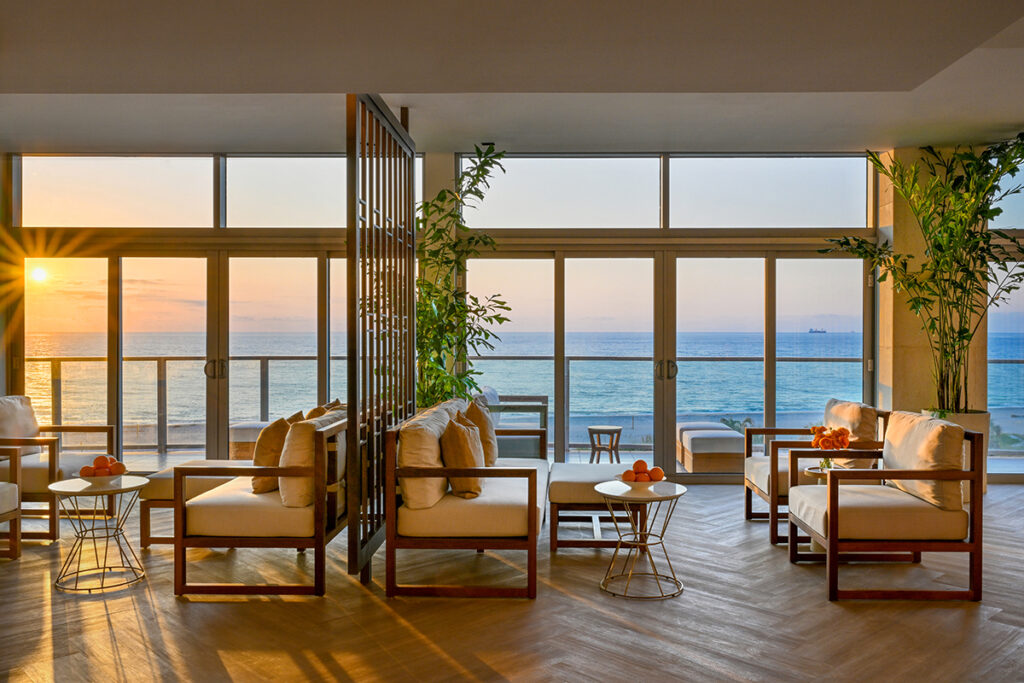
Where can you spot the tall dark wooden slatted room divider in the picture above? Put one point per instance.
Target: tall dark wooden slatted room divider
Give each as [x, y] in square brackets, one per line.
[381, 311]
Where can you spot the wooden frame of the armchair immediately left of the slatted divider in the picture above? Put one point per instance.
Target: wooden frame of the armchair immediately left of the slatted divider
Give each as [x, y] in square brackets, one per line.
[327, 524]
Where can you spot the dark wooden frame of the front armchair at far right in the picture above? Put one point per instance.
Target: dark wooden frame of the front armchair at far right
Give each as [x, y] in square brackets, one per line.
[839, 550]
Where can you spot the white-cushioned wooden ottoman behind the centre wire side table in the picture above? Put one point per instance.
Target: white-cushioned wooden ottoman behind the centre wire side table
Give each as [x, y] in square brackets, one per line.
[572, 491]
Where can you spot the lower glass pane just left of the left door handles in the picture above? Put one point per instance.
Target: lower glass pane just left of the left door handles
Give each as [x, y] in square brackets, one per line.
[164, 337]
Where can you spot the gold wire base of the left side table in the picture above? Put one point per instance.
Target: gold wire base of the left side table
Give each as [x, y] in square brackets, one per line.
[116, 568]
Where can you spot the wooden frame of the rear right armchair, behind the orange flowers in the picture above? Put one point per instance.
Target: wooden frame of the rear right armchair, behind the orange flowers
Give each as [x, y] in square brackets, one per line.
[775, 497]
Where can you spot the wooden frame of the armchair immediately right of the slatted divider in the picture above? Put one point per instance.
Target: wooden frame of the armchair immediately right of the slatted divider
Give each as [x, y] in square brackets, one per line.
[396, 541]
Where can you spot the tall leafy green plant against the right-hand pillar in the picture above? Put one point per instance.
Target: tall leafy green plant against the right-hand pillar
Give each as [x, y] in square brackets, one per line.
[966, 270]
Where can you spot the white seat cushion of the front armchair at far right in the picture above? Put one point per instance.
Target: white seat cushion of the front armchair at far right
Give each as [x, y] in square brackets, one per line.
[878, 514]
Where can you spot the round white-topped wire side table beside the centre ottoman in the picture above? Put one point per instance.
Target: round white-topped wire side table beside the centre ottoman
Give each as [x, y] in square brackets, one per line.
[649, 511]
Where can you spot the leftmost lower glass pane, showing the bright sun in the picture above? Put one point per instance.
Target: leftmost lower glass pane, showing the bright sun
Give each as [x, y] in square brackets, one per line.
[66, 345]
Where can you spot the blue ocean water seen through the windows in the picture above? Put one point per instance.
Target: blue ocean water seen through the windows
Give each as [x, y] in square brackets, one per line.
[616, 392]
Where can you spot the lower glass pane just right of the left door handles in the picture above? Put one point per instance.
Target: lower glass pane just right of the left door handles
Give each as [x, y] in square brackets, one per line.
[273, 343]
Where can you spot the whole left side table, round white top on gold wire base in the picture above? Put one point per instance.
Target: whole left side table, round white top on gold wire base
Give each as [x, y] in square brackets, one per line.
[114, 568]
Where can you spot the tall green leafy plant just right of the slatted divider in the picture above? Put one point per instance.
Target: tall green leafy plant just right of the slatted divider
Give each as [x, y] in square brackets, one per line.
[451, 323]
